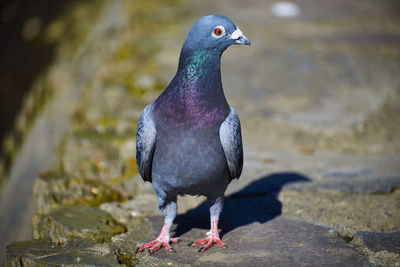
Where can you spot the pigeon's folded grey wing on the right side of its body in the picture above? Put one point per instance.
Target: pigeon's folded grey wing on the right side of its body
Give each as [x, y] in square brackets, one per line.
[231, 140]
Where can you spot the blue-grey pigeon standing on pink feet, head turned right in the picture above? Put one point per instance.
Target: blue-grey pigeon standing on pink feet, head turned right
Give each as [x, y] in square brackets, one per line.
[189, 139]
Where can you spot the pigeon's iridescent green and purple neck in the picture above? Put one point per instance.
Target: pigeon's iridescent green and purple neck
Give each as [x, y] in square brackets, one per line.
[194, 99]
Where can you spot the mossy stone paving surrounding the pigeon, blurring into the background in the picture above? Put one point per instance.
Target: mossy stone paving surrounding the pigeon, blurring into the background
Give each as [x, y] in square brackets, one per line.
[318, 98]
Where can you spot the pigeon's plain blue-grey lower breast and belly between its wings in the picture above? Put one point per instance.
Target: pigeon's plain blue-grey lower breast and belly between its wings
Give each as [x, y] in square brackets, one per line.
[192, 164]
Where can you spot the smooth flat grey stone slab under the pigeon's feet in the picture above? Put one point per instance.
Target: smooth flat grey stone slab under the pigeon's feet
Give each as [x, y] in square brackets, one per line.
[279, 241]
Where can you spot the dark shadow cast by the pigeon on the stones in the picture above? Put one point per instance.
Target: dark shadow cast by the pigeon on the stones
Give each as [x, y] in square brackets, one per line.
[257, 202]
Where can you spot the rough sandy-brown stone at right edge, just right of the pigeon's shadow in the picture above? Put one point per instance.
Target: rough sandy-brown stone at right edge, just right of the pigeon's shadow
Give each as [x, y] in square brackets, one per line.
[345, 212]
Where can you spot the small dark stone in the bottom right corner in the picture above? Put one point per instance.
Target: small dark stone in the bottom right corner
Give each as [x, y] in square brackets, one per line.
[382, 249]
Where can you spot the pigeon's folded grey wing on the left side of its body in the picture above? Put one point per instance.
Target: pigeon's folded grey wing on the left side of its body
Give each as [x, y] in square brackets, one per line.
[145, 143]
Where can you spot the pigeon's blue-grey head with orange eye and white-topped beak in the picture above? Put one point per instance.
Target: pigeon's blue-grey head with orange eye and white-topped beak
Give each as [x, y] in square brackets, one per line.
[215, 32]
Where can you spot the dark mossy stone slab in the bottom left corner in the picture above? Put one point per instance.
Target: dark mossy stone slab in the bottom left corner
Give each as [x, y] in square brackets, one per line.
[73, 253]
